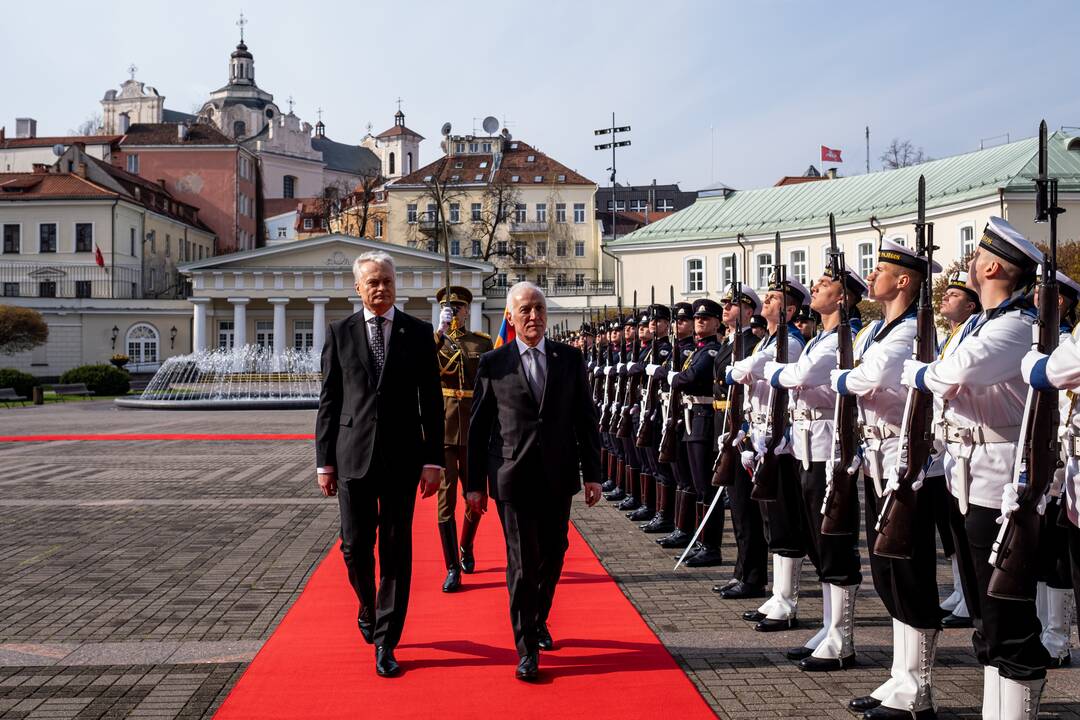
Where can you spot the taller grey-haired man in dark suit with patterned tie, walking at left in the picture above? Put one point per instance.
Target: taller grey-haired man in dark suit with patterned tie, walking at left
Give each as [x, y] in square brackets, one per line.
[379, 432]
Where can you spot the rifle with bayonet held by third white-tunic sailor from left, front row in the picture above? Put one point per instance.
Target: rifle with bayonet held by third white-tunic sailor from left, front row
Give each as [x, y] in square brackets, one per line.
[840, 510]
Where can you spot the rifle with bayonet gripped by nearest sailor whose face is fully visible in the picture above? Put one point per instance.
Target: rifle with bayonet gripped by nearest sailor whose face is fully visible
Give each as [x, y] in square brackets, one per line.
[896, 526]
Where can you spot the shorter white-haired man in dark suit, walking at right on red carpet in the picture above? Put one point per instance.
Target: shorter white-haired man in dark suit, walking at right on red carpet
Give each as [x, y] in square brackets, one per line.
[533, 439]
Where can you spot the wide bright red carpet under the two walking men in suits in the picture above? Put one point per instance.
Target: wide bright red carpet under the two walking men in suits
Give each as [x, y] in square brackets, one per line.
[458, 653]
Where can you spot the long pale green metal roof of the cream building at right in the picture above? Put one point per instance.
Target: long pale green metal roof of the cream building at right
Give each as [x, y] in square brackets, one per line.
[885, 195]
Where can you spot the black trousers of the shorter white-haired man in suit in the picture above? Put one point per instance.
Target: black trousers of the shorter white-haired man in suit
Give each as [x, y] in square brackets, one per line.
[536, 535]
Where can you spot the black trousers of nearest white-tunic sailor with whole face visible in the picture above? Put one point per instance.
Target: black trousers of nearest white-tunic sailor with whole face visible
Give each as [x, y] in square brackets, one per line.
[1007, 632]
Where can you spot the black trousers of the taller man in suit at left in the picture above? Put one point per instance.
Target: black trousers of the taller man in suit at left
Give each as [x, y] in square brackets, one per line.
[382, 505]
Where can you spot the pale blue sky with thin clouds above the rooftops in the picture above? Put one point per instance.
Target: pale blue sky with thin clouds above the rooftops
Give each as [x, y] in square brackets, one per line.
[741, 93]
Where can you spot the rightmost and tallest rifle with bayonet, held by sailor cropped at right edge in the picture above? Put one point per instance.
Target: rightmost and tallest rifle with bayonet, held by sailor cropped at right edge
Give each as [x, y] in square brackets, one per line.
[1015, 554]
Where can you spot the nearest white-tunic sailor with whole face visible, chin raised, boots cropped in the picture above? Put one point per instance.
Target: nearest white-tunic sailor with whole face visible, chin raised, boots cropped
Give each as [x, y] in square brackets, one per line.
[983, 390]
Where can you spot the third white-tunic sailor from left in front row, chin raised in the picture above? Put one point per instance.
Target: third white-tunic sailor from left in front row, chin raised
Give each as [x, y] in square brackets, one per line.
[909, 589]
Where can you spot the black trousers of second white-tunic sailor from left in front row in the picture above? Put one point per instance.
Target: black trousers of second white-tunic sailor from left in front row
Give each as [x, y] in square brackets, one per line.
[834, 558]
